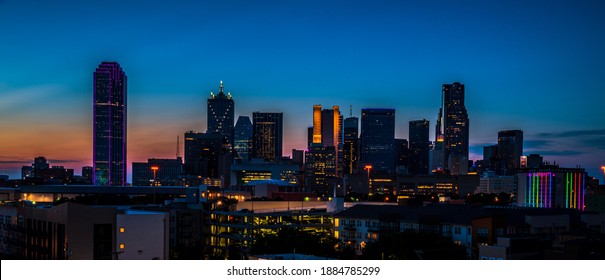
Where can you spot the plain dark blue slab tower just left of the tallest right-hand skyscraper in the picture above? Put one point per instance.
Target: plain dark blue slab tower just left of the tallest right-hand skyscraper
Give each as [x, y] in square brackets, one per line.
[419, 147]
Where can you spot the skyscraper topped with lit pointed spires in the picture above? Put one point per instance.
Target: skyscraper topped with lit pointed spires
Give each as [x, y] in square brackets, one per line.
[221, 114]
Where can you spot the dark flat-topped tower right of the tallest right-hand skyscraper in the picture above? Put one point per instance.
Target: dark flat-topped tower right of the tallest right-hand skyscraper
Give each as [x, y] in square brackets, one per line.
[510, 150]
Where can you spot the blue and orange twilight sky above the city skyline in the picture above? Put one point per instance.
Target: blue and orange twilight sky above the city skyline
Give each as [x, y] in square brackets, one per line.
[531, 65]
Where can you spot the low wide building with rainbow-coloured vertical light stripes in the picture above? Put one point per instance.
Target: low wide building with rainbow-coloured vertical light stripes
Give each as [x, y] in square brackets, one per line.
[552, 187]
